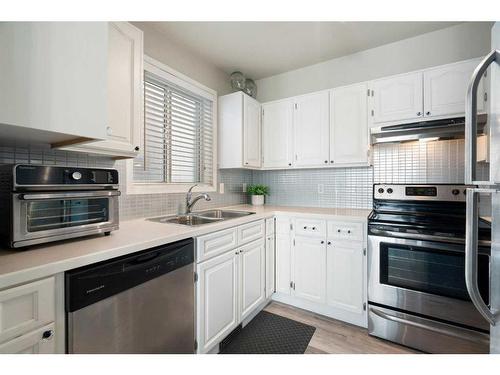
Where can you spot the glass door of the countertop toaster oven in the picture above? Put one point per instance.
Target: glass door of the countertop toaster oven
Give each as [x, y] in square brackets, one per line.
[44, 217]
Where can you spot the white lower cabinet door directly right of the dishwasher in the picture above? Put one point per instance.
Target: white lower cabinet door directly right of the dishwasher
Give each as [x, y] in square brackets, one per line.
[217, 299]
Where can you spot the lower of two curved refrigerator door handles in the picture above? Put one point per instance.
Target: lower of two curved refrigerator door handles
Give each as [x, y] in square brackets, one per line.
[471, 241]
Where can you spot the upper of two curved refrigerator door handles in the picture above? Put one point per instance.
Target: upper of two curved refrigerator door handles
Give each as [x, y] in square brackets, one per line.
[471, 120]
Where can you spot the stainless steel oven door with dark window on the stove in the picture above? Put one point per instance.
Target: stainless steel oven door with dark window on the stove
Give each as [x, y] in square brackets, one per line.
[424, 277]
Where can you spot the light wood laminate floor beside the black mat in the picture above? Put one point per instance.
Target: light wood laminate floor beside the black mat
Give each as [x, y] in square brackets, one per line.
[335, 337]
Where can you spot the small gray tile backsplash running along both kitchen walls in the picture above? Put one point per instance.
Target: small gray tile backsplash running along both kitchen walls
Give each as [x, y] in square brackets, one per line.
[415, 162]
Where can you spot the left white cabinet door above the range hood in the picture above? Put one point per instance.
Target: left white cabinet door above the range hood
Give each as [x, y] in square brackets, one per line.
[398, 98]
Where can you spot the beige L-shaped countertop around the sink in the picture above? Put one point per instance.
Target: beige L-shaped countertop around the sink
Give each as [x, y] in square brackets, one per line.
[19, 266]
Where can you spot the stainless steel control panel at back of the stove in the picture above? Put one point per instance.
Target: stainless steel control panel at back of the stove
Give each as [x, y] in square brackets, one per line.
[407, 192]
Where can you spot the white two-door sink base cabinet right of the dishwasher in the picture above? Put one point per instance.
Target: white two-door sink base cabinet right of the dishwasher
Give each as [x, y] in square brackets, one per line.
[231, 286]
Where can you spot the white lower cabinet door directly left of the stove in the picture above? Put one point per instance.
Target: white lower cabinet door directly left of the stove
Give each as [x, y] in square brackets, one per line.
[345, 276]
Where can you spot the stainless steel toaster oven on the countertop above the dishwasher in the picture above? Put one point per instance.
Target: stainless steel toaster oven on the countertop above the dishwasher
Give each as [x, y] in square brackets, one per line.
[42, 204]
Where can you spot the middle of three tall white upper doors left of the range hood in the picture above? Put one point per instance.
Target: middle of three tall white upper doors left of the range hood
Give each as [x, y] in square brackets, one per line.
[311, 130]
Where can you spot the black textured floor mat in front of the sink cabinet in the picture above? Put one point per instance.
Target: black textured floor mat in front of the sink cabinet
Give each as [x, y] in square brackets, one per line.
[270, 334]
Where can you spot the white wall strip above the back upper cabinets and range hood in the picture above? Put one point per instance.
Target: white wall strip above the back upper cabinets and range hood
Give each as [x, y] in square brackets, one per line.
[460, 42]
